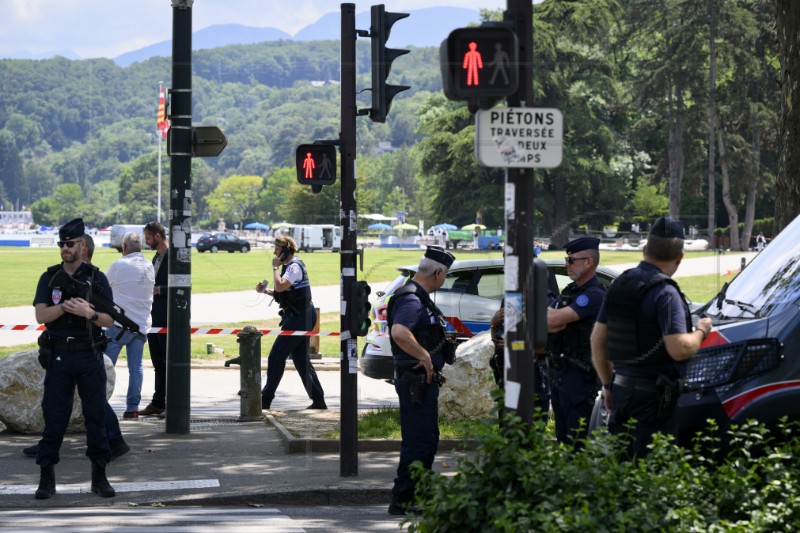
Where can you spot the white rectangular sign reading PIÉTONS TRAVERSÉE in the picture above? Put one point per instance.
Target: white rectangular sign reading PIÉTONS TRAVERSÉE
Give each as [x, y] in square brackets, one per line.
[519, 137]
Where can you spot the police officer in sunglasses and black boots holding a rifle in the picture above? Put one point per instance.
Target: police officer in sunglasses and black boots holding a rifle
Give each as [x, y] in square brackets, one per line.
[71, 350]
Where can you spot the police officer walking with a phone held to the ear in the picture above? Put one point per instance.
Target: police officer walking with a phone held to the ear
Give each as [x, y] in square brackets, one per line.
[292, 291]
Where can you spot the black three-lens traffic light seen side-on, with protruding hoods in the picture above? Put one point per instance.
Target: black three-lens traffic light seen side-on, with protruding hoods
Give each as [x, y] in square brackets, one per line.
[382, 57]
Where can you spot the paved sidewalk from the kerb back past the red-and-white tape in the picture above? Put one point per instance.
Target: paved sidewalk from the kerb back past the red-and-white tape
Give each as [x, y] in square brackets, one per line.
[221, 461]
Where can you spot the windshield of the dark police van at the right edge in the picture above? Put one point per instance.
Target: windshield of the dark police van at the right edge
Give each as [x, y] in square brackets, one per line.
[770, 281]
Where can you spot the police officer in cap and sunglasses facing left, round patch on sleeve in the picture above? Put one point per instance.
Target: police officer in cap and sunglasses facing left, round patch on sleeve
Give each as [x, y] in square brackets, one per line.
[570, 320]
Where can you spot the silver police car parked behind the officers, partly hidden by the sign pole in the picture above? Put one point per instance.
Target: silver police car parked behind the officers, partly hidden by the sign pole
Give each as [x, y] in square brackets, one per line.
[469, 298]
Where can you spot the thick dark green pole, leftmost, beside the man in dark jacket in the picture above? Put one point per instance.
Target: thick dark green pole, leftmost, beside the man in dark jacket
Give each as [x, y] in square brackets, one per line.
[180, 223]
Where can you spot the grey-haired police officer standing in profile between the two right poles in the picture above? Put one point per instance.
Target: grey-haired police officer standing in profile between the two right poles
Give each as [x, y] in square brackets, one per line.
[419, 347]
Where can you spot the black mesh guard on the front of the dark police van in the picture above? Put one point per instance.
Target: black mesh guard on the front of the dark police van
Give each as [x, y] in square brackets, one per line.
[724, 365]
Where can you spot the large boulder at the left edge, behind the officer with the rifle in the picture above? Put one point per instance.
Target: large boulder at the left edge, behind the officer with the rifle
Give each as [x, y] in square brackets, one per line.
[21, 388]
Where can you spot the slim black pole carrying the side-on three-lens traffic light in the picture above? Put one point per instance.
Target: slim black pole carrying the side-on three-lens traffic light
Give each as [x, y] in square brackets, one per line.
[348, 449]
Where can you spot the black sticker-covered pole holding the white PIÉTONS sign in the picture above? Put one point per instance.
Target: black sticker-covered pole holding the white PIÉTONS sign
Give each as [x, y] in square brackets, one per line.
[521, 373]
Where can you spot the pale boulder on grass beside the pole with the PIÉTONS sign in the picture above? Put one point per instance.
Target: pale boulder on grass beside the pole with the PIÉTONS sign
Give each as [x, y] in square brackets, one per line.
[467, 393]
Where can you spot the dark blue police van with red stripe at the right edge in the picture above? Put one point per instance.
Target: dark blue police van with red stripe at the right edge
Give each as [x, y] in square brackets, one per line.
[747, 367]
